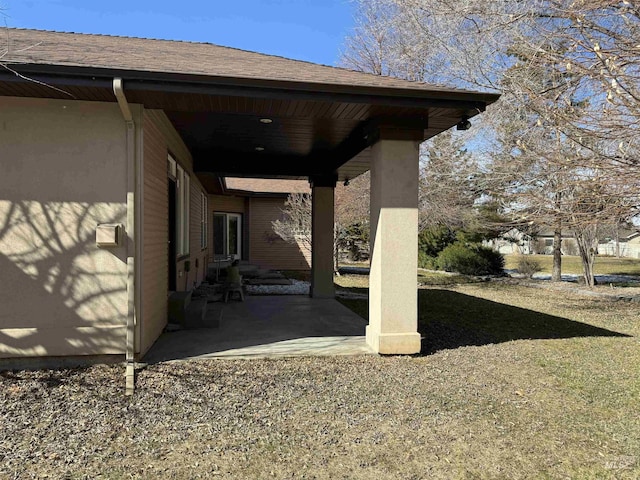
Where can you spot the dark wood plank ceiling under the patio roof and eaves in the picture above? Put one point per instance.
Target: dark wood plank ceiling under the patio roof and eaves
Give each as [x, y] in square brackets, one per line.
[226, 136]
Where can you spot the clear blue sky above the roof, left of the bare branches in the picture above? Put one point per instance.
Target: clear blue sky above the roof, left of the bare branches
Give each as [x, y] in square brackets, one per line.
[312, 30]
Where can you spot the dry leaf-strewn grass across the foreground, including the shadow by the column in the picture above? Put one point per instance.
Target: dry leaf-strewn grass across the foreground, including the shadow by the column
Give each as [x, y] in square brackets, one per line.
[515, 383]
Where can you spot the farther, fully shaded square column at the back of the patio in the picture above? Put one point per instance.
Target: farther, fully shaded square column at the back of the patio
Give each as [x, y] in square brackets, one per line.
[322, 205]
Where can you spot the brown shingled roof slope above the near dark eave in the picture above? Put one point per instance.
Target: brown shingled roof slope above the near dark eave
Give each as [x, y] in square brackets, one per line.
[37, 47]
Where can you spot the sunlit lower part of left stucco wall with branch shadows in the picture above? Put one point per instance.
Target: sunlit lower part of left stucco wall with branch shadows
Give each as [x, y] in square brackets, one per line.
[60, 294]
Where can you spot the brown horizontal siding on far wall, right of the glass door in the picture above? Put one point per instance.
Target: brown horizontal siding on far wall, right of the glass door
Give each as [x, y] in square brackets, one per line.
[266, 249]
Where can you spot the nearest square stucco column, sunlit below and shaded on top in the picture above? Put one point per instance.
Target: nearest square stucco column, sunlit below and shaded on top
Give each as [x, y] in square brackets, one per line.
[393, 296]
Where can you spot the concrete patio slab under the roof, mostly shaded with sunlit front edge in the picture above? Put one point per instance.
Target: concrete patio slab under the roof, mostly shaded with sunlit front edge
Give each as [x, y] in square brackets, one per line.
[269, 326]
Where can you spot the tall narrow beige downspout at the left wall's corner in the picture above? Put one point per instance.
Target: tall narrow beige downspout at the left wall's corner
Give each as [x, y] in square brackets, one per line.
[133, 235]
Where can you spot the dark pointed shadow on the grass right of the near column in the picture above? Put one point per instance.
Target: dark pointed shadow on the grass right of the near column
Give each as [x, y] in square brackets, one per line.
[449, 320]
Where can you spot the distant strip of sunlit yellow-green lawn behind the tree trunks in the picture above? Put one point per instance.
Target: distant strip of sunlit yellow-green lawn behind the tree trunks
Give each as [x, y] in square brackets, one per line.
[572, 264]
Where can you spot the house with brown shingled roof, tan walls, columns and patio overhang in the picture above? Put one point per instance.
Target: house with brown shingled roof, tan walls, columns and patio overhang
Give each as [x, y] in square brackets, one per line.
[114, 153]
